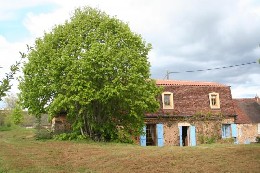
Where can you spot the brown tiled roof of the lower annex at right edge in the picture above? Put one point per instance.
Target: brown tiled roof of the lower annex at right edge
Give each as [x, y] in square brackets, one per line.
[247, 110]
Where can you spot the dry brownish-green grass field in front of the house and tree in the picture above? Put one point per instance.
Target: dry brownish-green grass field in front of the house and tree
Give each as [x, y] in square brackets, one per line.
[20, 152]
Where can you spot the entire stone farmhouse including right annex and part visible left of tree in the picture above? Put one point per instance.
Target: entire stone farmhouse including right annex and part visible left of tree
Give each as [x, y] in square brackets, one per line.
[192, 112]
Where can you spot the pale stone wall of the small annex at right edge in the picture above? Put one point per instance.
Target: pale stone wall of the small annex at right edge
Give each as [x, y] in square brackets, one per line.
[247, 133]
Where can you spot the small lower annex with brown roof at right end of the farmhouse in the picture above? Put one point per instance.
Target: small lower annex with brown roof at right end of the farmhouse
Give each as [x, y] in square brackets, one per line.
[248, 119]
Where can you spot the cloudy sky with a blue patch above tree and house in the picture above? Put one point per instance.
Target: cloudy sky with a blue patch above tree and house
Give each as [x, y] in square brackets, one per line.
[185, 35]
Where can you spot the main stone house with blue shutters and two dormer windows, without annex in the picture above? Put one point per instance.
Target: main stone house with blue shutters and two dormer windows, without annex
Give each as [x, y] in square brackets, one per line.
[190, 112]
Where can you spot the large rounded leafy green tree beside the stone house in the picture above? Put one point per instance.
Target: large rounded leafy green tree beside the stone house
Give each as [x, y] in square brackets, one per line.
[96, 70]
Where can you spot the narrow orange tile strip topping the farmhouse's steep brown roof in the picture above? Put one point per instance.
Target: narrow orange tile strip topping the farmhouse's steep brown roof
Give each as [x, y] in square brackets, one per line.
[190, 83]
